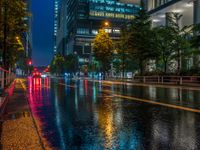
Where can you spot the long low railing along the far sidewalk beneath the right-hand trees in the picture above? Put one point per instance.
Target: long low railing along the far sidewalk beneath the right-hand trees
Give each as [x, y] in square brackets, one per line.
[178, 80]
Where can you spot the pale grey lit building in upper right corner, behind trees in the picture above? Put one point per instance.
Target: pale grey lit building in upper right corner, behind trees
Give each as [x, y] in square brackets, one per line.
[189, 9]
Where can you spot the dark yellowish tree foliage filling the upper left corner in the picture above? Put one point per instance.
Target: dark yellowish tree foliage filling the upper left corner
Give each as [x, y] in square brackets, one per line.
[12, 25]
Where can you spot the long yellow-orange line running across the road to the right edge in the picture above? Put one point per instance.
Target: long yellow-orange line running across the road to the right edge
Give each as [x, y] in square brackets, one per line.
[153, 102]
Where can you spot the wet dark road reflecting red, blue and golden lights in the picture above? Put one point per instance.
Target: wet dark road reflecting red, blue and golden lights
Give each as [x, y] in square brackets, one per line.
[93, 115]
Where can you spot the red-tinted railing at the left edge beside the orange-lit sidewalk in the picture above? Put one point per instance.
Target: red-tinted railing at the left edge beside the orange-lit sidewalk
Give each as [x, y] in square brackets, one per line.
[6, 77]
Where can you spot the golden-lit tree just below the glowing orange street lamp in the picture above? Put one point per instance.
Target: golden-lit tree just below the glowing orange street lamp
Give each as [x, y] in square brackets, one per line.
[103, 49]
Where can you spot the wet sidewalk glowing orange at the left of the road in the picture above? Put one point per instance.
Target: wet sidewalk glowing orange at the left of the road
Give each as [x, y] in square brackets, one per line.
[18, 130]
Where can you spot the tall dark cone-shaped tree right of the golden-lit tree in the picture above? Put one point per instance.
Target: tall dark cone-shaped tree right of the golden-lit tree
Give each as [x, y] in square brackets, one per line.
[139, 42]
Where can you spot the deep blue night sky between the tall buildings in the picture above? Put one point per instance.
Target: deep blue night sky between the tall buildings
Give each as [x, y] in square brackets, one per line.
[42, 31]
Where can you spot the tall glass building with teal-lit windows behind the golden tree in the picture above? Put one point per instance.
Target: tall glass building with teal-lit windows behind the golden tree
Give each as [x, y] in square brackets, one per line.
[80, 20]
